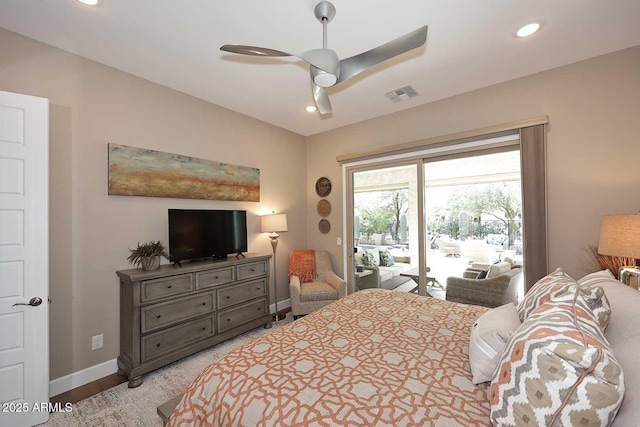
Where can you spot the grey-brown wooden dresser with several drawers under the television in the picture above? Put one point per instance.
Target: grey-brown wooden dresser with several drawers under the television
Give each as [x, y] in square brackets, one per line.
[173, 312]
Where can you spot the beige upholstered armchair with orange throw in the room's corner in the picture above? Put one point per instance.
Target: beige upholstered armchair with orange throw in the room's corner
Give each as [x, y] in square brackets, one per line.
[323, 287]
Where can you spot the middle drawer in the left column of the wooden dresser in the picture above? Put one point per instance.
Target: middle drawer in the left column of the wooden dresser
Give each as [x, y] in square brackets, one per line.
[167, 313]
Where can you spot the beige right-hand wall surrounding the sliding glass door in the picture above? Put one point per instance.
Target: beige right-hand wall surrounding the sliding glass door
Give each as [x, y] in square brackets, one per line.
[592, 150]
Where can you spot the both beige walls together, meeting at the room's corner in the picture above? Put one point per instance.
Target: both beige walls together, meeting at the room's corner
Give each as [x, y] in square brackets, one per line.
[592, 167]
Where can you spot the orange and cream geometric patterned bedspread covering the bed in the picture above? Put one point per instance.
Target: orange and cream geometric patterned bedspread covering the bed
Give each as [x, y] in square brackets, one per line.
[376, 357]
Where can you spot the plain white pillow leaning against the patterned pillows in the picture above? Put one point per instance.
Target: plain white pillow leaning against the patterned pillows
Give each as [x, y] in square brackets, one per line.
[489, 336]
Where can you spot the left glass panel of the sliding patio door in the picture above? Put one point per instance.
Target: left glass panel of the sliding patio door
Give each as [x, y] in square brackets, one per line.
[385, 217]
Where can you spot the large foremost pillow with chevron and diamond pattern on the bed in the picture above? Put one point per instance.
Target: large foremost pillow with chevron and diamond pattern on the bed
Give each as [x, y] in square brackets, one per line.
[558, 369]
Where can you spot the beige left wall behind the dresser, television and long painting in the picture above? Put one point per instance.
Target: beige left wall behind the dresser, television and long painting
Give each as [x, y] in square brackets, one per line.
[92, 105]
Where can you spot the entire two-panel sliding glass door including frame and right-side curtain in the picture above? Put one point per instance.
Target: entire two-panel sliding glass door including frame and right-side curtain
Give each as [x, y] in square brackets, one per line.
[474, 203]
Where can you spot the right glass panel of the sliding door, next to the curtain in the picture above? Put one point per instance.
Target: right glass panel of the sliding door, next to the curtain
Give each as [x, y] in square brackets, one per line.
[473, 205]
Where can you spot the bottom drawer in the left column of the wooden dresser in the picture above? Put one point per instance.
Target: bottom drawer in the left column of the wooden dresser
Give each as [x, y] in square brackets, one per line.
[159, 343]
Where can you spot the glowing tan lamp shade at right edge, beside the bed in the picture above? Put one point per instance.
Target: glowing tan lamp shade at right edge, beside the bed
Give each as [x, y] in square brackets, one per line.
[620, 236]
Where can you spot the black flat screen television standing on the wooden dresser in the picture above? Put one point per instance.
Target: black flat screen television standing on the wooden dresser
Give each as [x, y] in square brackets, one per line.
[203, 234]
